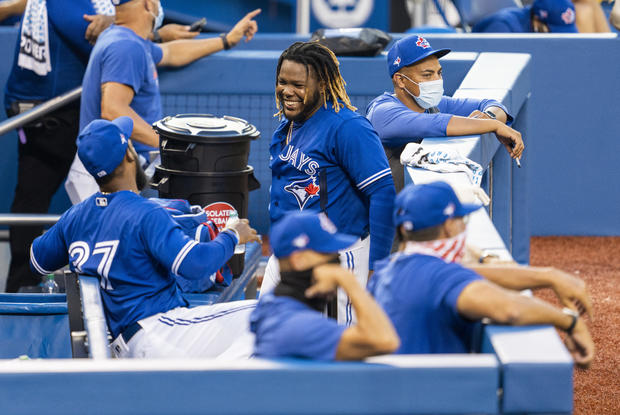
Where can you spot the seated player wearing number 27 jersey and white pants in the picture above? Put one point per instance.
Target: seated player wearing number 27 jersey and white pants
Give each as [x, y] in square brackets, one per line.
[136, 249]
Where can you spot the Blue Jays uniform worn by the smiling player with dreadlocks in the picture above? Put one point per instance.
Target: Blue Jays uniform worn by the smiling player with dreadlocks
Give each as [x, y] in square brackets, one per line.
[334, 163]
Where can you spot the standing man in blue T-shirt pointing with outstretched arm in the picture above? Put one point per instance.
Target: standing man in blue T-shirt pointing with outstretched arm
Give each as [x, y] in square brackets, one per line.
[121, 77]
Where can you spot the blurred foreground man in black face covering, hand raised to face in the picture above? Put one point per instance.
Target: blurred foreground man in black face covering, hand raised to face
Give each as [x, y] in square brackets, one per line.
[289, 321]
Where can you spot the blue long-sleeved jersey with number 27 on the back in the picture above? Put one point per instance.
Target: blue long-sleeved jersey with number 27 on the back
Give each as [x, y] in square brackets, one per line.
[132, 244]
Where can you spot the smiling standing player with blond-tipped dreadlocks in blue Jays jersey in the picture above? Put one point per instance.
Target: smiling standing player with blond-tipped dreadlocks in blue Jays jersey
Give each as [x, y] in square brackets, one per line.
[327, 158]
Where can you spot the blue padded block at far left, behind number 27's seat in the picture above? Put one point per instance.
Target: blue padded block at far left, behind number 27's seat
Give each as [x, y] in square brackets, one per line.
[35, 325]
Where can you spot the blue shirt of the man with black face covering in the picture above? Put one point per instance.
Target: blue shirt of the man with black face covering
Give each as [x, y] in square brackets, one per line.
[285, 327]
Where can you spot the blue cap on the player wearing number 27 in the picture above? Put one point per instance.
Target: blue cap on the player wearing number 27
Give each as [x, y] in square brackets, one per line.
[102, 145]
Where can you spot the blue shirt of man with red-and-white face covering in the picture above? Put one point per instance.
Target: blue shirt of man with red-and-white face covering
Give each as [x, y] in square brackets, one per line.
[419, 294]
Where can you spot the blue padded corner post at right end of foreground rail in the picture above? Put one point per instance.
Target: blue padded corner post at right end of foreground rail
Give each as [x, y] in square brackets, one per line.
[537, 371]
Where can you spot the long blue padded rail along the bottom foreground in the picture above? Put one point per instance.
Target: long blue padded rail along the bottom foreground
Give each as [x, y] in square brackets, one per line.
[460, 384]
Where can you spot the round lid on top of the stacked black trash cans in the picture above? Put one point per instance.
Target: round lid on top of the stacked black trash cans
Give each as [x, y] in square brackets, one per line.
[186, 126]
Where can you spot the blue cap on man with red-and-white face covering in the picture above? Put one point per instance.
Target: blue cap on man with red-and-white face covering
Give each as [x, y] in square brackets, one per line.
[426, 205]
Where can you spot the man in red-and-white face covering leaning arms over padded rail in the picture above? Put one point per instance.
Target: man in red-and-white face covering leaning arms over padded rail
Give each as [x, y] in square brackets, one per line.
[434, 302]
